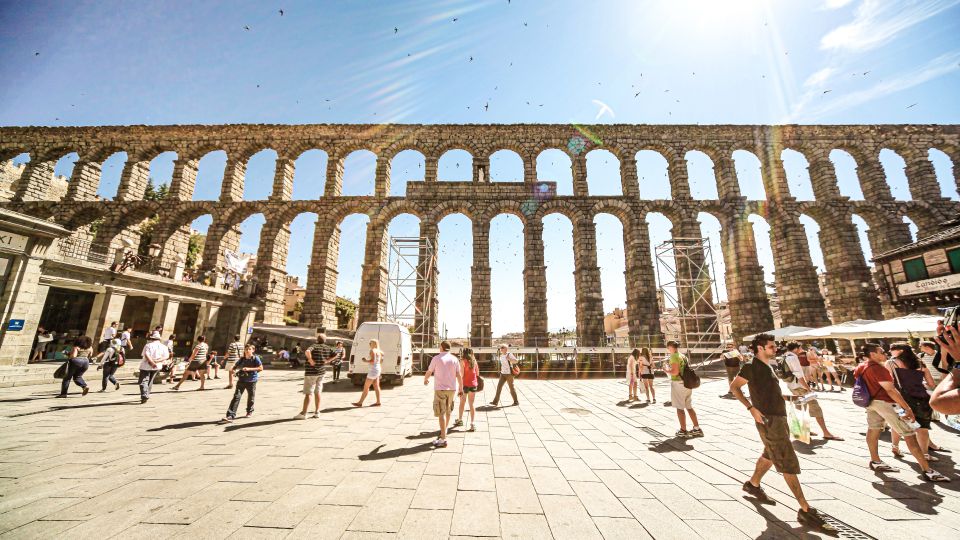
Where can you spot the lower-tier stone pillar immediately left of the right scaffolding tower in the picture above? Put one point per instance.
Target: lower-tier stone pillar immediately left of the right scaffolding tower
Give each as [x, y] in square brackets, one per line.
[643, 308]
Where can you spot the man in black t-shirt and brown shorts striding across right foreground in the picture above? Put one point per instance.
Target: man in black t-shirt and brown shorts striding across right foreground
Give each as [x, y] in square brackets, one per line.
[766, 405]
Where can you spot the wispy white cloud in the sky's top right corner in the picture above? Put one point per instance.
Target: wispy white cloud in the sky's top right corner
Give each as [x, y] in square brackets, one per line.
[878, 21]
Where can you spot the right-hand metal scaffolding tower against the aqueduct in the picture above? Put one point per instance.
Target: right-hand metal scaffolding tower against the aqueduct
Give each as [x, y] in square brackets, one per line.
[685, 273]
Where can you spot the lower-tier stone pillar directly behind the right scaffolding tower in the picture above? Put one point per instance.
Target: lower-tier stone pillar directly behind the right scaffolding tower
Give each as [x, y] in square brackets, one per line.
[693, 284]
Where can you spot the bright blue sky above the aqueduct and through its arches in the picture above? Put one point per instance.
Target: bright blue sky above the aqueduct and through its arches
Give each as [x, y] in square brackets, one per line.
[656, 62]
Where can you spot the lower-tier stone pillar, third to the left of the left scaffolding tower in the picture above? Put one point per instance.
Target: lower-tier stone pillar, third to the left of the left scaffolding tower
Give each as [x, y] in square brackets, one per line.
[271, 270]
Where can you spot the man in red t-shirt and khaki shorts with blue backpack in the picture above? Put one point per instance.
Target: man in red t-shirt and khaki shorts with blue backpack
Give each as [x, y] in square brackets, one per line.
[881, 412]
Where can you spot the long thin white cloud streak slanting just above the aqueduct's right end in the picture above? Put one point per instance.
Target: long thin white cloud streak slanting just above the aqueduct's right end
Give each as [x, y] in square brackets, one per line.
[937, 67]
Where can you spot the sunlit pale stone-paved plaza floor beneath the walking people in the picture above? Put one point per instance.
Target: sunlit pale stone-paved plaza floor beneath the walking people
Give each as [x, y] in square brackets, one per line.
[573, 461]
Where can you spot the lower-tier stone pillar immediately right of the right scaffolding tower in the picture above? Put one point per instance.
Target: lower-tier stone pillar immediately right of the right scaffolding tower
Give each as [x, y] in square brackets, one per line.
[746, 290]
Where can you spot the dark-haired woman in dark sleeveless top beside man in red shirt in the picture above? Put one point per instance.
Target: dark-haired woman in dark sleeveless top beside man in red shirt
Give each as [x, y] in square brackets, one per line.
[912, 378]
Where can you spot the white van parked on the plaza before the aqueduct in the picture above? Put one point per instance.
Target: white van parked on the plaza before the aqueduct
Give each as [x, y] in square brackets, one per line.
[397, 352]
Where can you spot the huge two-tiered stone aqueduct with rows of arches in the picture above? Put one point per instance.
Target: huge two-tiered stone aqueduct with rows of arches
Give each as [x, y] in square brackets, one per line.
[848, 275]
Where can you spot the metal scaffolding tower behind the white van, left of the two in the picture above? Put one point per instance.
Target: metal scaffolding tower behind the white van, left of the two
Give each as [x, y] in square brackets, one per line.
[411, 287]
